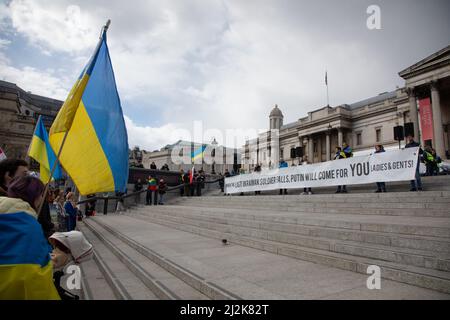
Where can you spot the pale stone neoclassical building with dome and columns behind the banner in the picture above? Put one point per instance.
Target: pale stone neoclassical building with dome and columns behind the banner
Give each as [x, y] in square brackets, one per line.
[364, 123]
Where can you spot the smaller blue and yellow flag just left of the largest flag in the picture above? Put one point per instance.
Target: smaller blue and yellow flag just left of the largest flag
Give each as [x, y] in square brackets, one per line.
[41, 151]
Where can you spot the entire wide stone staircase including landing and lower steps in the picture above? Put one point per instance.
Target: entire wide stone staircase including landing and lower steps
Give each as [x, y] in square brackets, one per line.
[140, 255]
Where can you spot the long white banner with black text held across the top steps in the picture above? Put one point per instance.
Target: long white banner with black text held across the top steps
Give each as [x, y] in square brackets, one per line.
[397, 165]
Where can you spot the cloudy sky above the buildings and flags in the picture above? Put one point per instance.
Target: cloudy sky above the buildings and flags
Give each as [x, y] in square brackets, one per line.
[223, 62]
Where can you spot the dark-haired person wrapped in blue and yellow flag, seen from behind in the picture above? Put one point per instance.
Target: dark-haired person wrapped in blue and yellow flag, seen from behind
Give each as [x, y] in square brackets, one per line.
[26, 270]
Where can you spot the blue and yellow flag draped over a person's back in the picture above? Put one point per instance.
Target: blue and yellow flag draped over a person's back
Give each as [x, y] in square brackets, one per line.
[26, 271]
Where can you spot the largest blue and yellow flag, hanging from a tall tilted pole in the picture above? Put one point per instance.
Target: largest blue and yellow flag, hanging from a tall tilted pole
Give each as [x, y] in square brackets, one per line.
[95, 153]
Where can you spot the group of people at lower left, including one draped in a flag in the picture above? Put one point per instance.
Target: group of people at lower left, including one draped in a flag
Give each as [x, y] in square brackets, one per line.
[33, 249]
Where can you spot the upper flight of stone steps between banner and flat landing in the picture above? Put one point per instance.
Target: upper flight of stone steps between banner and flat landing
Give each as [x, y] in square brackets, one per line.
[408, 237]
